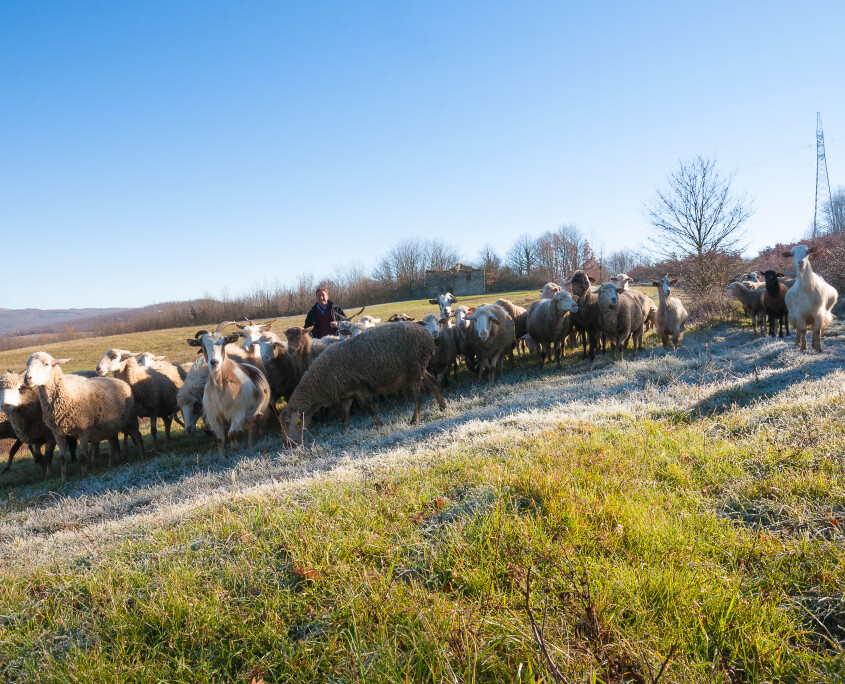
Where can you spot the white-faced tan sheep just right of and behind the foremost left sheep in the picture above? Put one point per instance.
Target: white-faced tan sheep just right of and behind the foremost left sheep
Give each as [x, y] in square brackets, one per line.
[154, 389]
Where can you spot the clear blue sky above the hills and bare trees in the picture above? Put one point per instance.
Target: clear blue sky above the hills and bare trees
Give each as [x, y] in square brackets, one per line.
[155, 151]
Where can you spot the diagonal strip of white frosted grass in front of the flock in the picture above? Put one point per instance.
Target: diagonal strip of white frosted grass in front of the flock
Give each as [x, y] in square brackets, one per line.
[713, 372]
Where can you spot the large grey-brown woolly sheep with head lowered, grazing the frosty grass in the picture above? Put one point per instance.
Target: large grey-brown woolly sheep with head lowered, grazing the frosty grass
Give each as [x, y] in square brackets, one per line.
[384, 361]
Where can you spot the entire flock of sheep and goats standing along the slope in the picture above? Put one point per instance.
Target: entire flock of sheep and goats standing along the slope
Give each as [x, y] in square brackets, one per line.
[240, 377]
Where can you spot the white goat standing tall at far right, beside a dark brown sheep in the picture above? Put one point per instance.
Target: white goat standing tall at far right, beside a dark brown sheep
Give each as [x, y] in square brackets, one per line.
[809, 300]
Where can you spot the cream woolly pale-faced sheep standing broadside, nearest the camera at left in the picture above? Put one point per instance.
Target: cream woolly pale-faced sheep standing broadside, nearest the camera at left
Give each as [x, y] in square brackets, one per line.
[90, 409]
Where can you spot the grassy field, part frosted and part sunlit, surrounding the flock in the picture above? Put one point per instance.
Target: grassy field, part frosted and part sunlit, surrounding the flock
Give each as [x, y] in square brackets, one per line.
[676, 517]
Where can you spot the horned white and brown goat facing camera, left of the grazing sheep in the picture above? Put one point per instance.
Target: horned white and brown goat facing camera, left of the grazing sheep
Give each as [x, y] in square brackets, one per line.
[236, 395]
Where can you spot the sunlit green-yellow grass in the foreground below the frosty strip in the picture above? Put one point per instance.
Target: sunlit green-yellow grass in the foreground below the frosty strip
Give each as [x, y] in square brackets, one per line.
[418, 573]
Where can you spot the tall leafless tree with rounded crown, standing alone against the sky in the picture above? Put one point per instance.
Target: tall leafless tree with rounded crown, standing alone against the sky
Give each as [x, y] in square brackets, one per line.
[698, 220]
